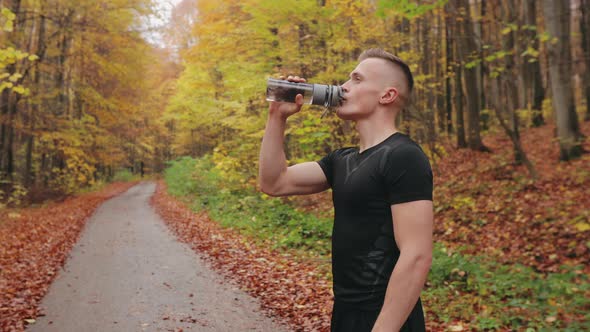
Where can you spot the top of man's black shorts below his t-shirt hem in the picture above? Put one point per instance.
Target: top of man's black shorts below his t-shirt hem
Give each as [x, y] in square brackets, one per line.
[349, 319]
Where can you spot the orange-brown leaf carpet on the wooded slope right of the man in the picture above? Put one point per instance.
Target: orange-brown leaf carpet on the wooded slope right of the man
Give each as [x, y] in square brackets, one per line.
[486, 200]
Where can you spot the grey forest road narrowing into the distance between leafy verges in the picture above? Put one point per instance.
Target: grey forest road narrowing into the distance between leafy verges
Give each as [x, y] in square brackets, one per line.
[129, 273]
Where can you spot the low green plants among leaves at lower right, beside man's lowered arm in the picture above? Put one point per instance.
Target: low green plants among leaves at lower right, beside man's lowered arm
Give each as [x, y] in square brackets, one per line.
[493, 295]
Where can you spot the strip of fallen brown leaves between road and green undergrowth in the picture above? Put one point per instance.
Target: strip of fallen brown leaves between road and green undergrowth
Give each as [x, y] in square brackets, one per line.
[287, 286]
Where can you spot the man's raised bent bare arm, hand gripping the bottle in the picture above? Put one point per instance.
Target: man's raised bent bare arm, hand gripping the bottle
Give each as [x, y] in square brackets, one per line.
[276, 179]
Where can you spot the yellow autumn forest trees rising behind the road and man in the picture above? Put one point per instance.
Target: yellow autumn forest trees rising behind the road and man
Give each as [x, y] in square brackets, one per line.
[84, 94]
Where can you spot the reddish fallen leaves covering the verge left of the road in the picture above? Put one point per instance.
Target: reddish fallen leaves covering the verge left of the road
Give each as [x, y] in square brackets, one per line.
[34, 244]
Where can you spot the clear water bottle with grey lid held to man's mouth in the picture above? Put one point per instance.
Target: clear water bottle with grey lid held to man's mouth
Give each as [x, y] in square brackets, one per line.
[315, 94]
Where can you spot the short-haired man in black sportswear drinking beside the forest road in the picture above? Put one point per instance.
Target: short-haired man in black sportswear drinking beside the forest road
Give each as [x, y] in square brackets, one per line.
[382, 193]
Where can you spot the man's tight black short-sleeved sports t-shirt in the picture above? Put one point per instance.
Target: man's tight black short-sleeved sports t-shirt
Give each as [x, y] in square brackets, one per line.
[364, 186]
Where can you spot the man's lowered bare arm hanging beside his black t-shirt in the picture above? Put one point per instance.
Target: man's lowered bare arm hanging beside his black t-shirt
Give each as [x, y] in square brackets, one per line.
[413, 226]
